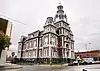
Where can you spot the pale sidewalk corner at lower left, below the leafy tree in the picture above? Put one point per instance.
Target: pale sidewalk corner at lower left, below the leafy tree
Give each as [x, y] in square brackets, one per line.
[10, 66]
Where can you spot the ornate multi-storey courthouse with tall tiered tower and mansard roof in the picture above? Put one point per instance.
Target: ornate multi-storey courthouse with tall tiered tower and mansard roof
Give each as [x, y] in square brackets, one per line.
[55, 43]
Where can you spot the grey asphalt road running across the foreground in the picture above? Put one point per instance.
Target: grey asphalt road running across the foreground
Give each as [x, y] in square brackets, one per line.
[95, 67]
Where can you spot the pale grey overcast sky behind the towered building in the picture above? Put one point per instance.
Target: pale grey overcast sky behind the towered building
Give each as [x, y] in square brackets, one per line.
[83, 17]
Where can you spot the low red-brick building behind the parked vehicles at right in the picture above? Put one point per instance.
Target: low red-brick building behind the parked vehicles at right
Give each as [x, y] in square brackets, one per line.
[95, 54]
